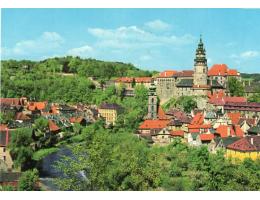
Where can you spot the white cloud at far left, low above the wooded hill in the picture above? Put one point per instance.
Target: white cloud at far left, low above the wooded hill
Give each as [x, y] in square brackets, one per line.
[46, 42]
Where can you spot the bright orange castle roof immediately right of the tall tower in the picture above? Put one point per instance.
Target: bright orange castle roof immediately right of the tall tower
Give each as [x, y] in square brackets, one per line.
[222, 70]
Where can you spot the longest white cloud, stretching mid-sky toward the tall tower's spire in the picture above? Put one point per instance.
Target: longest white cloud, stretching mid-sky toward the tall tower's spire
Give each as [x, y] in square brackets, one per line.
[132, 37]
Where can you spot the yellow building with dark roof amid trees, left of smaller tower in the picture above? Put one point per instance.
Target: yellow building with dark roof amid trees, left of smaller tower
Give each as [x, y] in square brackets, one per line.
[109, 112]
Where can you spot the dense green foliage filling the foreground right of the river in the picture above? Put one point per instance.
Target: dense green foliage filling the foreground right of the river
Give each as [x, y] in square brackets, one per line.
[120, 161]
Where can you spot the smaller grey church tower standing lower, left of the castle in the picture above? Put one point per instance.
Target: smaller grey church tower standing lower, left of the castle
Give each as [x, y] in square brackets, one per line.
[152, 102]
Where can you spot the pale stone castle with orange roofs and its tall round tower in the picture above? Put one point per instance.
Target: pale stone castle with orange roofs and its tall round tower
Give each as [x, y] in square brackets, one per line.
[200, 81]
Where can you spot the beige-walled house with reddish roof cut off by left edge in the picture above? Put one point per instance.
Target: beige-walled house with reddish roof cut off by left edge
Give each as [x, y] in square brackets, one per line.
[4, 152]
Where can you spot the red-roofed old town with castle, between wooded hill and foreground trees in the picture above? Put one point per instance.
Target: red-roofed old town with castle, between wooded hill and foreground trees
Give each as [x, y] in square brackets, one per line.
[198, 107]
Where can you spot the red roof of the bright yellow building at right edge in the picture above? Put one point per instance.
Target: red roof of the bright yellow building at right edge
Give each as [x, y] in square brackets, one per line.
[249, 143]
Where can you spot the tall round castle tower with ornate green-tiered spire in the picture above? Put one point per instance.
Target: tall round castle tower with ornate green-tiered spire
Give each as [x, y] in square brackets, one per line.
[200, 66]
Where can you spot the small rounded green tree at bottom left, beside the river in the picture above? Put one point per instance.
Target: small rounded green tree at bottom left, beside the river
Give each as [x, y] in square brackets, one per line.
[28, 180]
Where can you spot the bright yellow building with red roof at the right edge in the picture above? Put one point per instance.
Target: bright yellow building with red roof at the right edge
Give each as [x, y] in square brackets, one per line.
[247, 147]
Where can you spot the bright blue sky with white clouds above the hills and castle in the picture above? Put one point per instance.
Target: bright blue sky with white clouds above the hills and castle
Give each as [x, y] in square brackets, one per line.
[151, 39]
